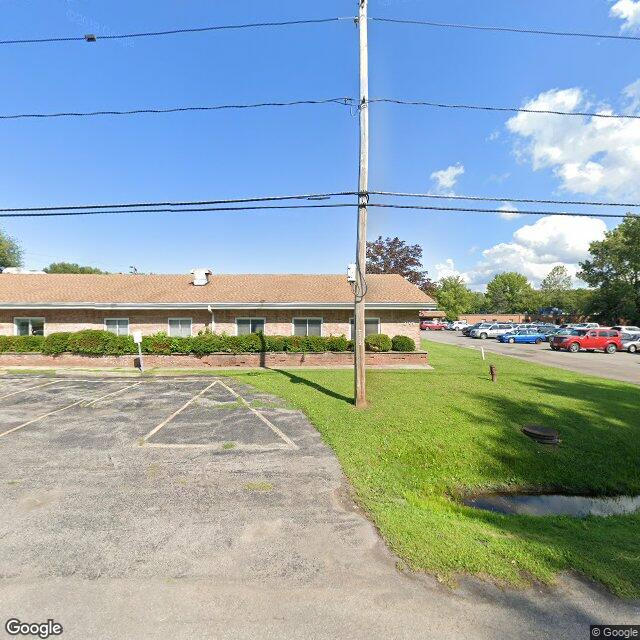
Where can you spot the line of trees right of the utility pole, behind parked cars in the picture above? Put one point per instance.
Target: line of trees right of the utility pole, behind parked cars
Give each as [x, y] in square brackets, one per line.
[611, 273]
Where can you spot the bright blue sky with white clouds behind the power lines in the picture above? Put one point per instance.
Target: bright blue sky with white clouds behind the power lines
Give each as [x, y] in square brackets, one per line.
[311, 149]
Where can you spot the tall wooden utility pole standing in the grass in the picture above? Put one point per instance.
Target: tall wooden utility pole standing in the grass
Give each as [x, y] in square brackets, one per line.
[363, 200]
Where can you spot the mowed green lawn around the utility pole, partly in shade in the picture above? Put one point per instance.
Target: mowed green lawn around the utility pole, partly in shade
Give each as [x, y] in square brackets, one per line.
[432, 436]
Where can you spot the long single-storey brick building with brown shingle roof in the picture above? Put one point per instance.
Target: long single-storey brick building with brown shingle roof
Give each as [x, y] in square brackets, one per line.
[183, 305]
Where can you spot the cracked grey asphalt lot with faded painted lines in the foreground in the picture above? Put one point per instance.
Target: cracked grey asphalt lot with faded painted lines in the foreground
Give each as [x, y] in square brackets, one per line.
[199, 508]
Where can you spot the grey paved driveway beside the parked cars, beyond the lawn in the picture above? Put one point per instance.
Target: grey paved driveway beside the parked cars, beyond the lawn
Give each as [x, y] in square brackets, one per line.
[618, 366]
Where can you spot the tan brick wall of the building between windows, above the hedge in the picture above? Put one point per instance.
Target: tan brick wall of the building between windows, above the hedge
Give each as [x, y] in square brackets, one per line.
[335, 322]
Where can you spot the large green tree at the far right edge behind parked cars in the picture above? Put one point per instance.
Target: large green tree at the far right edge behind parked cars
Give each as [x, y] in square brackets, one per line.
[614, 269]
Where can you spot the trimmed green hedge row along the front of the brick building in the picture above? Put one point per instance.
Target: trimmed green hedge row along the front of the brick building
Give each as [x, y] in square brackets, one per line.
[99, 343]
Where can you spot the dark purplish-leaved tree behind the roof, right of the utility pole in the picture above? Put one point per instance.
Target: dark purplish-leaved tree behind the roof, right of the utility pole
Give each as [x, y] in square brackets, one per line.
[392, 255]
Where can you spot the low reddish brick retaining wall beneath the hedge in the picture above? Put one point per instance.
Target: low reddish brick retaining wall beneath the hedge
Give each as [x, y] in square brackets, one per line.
[215, 360]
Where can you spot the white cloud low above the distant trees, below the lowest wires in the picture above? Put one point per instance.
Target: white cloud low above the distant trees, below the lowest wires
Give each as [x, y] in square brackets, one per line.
[536, 248]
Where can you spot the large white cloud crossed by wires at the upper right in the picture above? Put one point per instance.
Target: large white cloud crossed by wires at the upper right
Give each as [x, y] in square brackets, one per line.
[587, 155]
